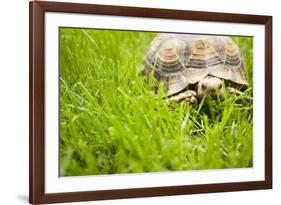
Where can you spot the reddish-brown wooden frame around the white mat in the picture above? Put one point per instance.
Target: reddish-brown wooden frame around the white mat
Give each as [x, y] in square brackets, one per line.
[36, 100]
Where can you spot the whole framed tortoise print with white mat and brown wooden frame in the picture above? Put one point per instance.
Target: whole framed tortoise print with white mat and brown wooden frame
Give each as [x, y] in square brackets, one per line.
[140, 102]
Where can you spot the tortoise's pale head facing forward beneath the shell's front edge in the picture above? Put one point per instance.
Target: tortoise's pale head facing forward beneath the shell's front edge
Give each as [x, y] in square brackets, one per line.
[210, 86]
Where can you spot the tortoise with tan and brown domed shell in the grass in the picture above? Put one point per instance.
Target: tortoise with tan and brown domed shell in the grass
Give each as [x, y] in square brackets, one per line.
[194, 66]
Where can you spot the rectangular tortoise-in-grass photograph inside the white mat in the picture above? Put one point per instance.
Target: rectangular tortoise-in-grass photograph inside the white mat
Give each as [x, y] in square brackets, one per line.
[143, 102]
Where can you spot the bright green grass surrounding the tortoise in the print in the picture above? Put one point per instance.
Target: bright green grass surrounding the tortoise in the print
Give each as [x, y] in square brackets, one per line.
[111, 122]
